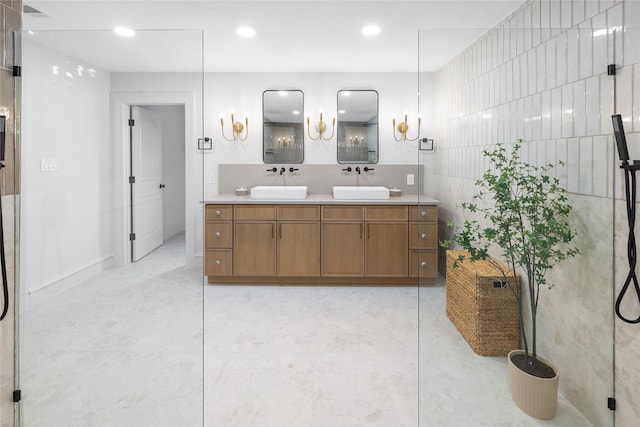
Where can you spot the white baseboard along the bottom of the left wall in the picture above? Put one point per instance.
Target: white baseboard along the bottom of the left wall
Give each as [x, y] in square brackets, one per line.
[67, 281]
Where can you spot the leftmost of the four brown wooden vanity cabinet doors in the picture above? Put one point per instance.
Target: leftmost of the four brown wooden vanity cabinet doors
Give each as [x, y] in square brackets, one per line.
[254, 249]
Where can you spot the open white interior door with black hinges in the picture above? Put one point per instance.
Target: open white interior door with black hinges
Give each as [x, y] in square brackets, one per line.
[146, 162]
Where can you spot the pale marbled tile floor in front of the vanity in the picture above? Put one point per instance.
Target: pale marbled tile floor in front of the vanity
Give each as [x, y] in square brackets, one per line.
[148, 345]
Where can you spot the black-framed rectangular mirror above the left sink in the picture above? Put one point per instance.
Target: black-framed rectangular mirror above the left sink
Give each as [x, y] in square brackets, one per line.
[283, 126]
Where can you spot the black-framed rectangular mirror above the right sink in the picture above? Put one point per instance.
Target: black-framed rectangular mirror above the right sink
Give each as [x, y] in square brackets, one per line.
[357, 126]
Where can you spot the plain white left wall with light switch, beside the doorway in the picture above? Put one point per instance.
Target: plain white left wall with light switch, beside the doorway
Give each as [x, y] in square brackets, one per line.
[67, 228]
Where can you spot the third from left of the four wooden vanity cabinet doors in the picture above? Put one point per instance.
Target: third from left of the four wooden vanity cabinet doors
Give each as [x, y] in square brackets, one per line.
[343, 249]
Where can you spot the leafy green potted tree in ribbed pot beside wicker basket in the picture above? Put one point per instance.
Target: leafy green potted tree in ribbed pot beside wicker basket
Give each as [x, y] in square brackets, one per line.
[524, 218]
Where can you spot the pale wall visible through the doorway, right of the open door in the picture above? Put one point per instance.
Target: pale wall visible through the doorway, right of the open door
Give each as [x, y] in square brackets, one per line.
[173, 168]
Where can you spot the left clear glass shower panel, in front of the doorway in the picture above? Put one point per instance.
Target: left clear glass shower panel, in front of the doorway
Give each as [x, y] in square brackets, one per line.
[105, 340]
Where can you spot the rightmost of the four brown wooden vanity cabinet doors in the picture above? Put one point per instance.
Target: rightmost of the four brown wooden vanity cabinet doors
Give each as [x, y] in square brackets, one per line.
[386, 249]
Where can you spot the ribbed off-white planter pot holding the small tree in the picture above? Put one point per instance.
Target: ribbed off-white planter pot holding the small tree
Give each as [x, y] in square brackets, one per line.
[536, 396]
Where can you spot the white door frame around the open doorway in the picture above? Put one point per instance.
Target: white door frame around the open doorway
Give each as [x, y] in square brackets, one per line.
[120, 103]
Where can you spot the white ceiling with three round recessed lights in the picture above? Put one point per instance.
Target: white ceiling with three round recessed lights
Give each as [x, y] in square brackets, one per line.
[292, 36]
